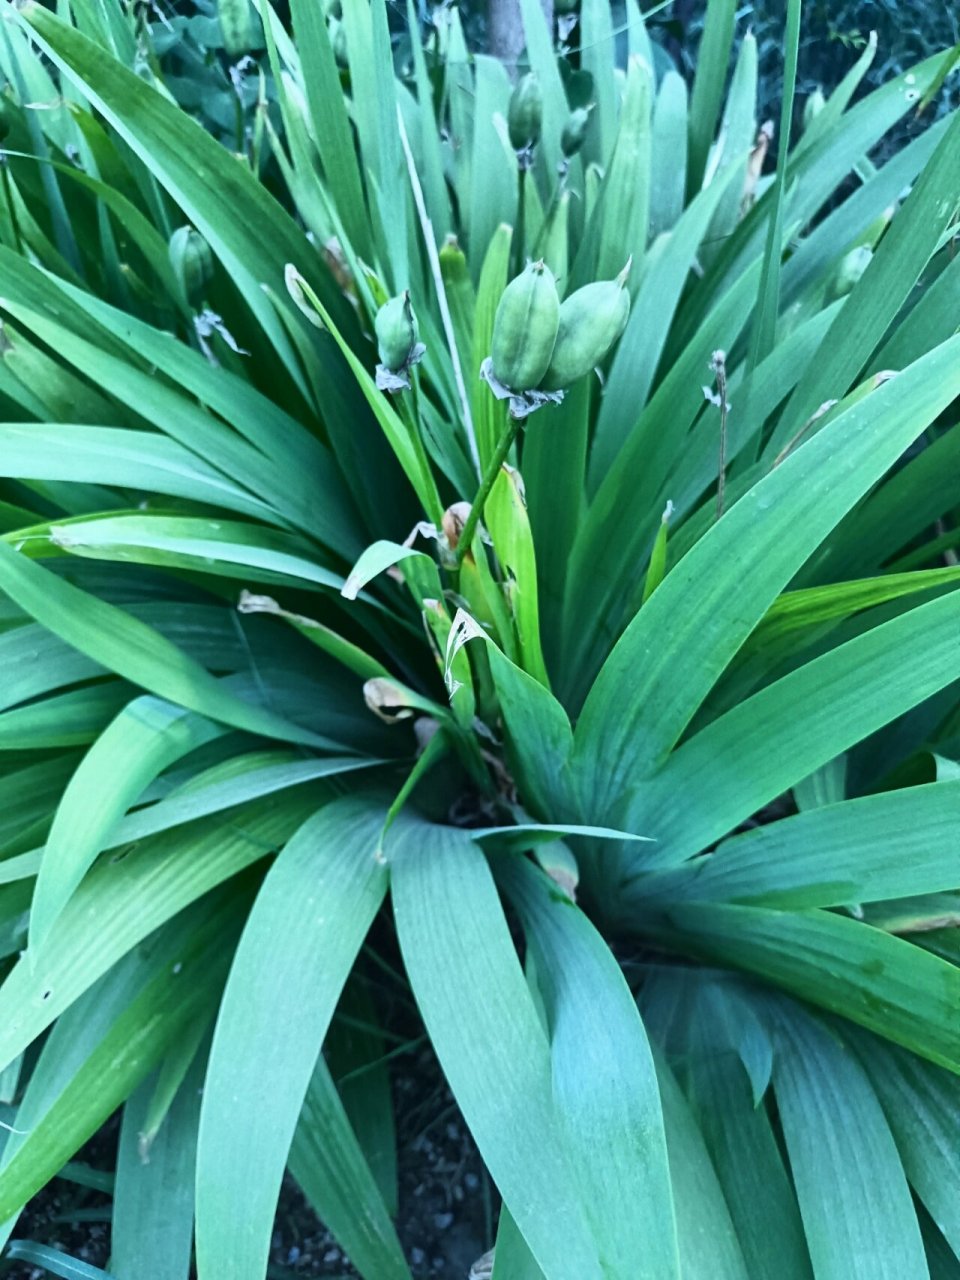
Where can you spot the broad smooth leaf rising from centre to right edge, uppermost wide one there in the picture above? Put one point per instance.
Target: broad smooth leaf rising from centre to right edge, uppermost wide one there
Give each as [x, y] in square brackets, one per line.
[711, 602]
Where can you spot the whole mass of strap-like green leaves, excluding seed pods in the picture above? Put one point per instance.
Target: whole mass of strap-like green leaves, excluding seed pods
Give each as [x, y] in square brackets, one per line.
[653, 771]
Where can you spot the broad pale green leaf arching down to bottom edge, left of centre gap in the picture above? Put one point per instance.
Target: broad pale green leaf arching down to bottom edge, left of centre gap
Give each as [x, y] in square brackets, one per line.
[300, 943]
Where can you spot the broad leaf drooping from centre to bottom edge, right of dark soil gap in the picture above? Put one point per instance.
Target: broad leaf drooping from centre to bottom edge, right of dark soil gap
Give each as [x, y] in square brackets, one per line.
[493, 1052]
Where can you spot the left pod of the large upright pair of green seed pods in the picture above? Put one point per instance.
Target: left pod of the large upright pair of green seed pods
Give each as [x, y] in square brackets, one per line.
[525, 328]
